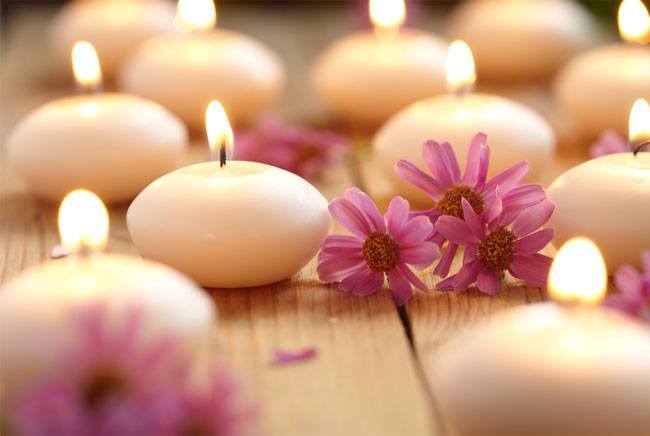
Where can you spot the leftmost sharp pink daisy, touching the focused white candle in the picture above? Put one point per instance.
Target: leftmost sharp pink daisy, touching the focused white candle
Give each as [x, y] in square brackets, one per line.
[378, 247]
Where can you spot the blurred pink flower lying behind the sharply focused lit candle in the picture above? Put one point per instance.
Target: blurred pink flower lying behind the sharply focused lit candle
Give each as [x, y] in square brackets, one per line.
[300, 150]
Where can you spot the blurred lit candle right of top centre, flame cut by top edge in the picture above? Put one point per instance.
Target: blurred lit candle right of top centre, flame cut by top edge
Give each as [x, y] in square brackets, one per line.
[366, 77]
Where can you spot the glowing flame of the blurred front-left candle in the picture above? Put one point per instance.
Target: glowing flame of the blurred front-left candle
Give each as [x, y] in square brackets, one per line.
[83, 221]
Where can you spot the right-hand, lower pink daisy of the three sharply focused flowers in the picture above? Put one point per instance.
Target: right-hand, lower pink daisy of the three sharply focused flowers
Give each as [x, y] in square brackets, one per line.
[498, 242]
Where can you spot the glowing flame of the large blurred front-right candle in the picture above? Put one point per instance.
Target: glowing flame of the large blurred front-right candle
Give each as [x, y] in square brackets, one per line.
[578, 272]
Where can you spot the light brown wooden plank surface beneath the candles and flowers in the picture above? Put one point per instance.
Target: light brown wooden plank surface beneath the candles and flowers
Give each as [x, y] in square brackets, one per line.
[370, 376]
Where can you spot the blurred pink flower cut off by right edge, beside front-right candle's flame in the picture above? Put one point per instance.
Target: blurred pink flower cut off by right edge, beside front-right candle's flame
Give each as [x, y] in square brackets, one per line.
[634, 290]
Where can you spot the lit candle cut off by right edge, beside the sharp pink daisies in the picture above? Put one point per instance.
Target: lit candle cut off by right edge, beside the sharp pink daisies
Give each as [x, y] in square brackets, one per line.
[608, 198]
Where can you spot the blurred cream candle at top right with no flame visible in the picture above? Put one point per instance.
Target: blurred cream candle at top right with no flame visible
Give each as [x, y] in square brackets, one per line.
[505, 36]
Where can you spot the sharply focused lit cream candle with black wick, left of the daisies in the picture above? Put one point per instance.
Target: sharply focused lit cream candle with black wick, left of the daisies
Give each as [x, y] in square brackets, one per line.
[229, 224]
